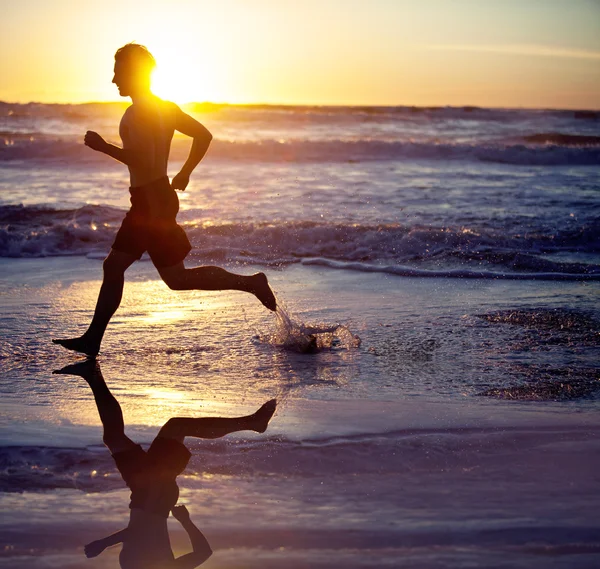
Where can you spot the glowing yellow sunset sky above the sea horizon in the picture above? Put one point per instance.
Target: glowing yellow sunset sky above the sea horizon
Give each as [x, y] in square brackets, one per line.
[509, 53]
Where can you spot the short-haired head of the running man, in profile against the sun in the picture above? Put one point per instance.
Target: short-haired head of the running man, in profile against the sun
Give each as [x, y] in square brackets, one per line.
[133, 67]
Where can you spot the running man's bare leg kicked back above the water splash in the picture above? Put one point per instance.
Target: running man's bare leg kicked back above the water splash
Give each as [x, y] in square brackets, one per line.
[177, 277]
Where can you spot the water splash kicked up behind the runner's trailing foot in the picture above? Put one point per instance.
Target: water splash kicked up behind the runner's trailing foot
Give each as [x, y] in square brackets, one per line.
[293, 334]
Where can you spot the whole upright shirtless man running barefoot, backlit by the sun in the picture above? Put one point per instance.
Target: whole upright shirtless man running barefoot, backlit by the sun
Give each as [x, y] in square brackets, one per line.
[146, 129]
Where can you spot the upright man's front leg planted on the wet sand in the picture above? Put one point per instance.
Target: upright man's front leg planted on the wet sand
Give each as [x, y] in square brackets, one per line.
[109, 299]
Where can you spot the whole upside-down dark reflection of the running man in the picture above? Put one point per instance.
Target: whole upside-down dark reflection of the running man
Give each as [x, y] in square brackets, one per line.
[151, 476]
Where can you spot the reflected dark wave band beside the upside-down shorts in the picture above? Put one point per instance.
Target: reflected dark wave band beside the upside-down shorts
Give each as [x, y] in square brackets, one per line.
[393, 453]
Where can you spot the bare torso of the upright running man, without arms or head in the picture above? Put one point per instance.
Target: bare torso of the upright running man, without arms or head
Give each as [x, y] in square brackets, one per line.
[147, 129]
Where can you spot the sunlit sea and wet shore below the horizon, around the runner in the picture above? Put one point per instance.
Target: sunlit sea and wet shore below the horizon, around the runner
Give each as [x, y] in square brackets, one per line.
[434, 354]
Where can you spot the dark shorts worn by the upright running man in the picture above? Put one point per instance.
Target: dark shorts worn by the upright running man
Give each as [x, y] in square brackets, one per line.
[150, 225]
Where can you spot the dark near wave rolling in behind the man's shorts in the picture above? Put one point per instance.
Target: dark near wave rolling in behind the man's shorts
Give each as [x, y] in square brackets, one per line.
[407, 250]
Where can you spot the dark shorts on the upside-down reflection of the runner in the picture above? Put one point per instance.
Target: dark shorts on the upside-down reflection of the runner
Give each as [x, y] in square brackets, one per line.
[151, 476]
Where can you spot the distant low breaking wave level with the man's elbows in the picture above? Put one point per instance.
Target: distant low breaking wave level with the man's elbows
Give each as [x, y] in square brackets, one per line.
[44, 148]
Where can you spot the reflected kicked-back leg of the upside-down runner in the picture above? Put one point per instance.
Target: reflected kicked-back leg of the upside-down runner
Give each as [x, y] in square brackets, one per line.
[216, 427]
